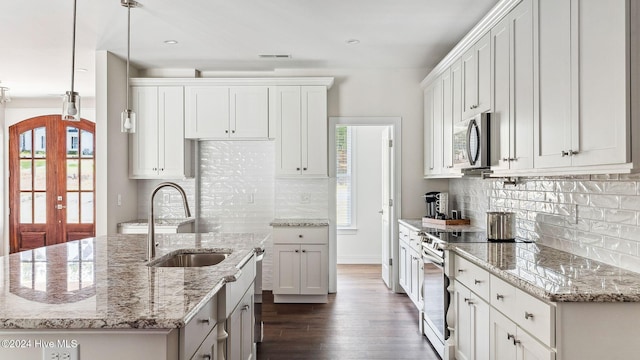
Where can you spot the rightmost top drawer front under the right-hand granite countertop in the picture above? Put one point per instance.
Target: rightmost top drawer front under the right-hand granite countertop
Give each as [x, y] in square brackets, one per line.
[536, 317]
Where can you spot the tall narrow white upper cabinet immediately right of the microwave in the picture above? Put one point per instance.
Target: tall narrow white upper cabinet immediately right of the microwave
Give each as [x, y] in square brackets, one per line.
[512, 90]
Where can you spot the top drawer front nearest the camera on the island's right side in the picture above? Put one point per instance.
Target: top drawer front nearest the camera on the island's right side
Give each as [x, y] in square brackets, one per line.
[197, 329]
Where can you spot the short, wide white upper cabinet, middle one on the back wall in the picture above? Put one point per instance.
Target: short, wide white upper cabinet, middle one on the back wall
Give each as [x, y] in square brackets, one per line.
[227, 112]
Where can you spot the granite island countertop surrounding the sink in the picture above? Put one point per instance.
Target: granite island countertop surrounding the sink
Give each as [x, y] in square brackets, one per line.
[104, 283]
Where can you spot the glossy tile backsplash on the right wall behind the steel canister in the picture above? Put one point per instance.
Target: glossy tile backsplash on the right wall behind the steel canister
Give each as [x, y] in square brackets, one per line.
[595, 216]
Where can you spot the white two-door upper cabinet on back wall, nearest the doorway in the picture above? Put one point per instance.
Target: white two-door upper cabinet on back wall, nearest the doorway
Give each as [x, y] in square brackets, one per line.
[301, 131]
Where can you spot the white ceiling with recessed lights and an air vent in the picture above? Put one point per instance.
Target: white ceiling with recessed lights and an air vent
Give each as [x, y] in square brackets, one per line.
[225, 35]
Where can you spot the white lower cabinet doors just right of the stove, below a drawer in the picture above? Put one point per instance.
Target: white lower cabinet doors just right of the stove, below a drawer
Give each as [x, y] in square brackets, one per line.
[471, 333]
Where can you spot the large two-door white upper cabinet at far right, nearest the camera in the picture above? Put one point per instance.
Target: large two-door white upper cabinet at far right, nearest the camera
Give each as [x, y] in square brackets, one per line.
[584, 102]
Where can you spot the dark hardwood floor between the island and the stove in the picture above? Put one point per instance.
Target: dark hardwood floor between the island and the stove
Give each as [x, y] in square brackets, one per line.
[364, 320]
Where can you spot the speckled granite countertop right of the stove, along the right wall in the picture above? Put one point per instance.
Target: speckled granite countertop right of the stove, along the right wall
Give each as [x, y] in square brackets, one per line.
[551, 274]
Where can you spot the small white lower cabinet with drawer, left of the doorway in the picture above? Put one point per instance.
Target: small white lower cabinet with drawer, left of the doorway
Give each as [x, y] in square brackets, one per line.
[301, 262]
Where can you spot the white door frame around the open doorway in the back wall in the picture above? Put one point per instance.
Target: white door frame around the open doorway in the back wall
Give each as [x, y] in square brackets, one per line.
[395, 123]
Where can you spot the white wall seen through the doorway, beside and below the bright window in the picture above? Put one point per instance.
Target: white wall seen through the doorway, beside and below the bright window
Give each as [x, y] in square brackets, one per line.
[363, 245]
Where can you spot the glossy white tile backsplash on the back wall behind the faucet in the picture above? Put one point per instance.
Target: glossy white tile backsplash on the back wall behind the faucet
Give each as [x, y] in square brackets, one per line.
[240, 193]
